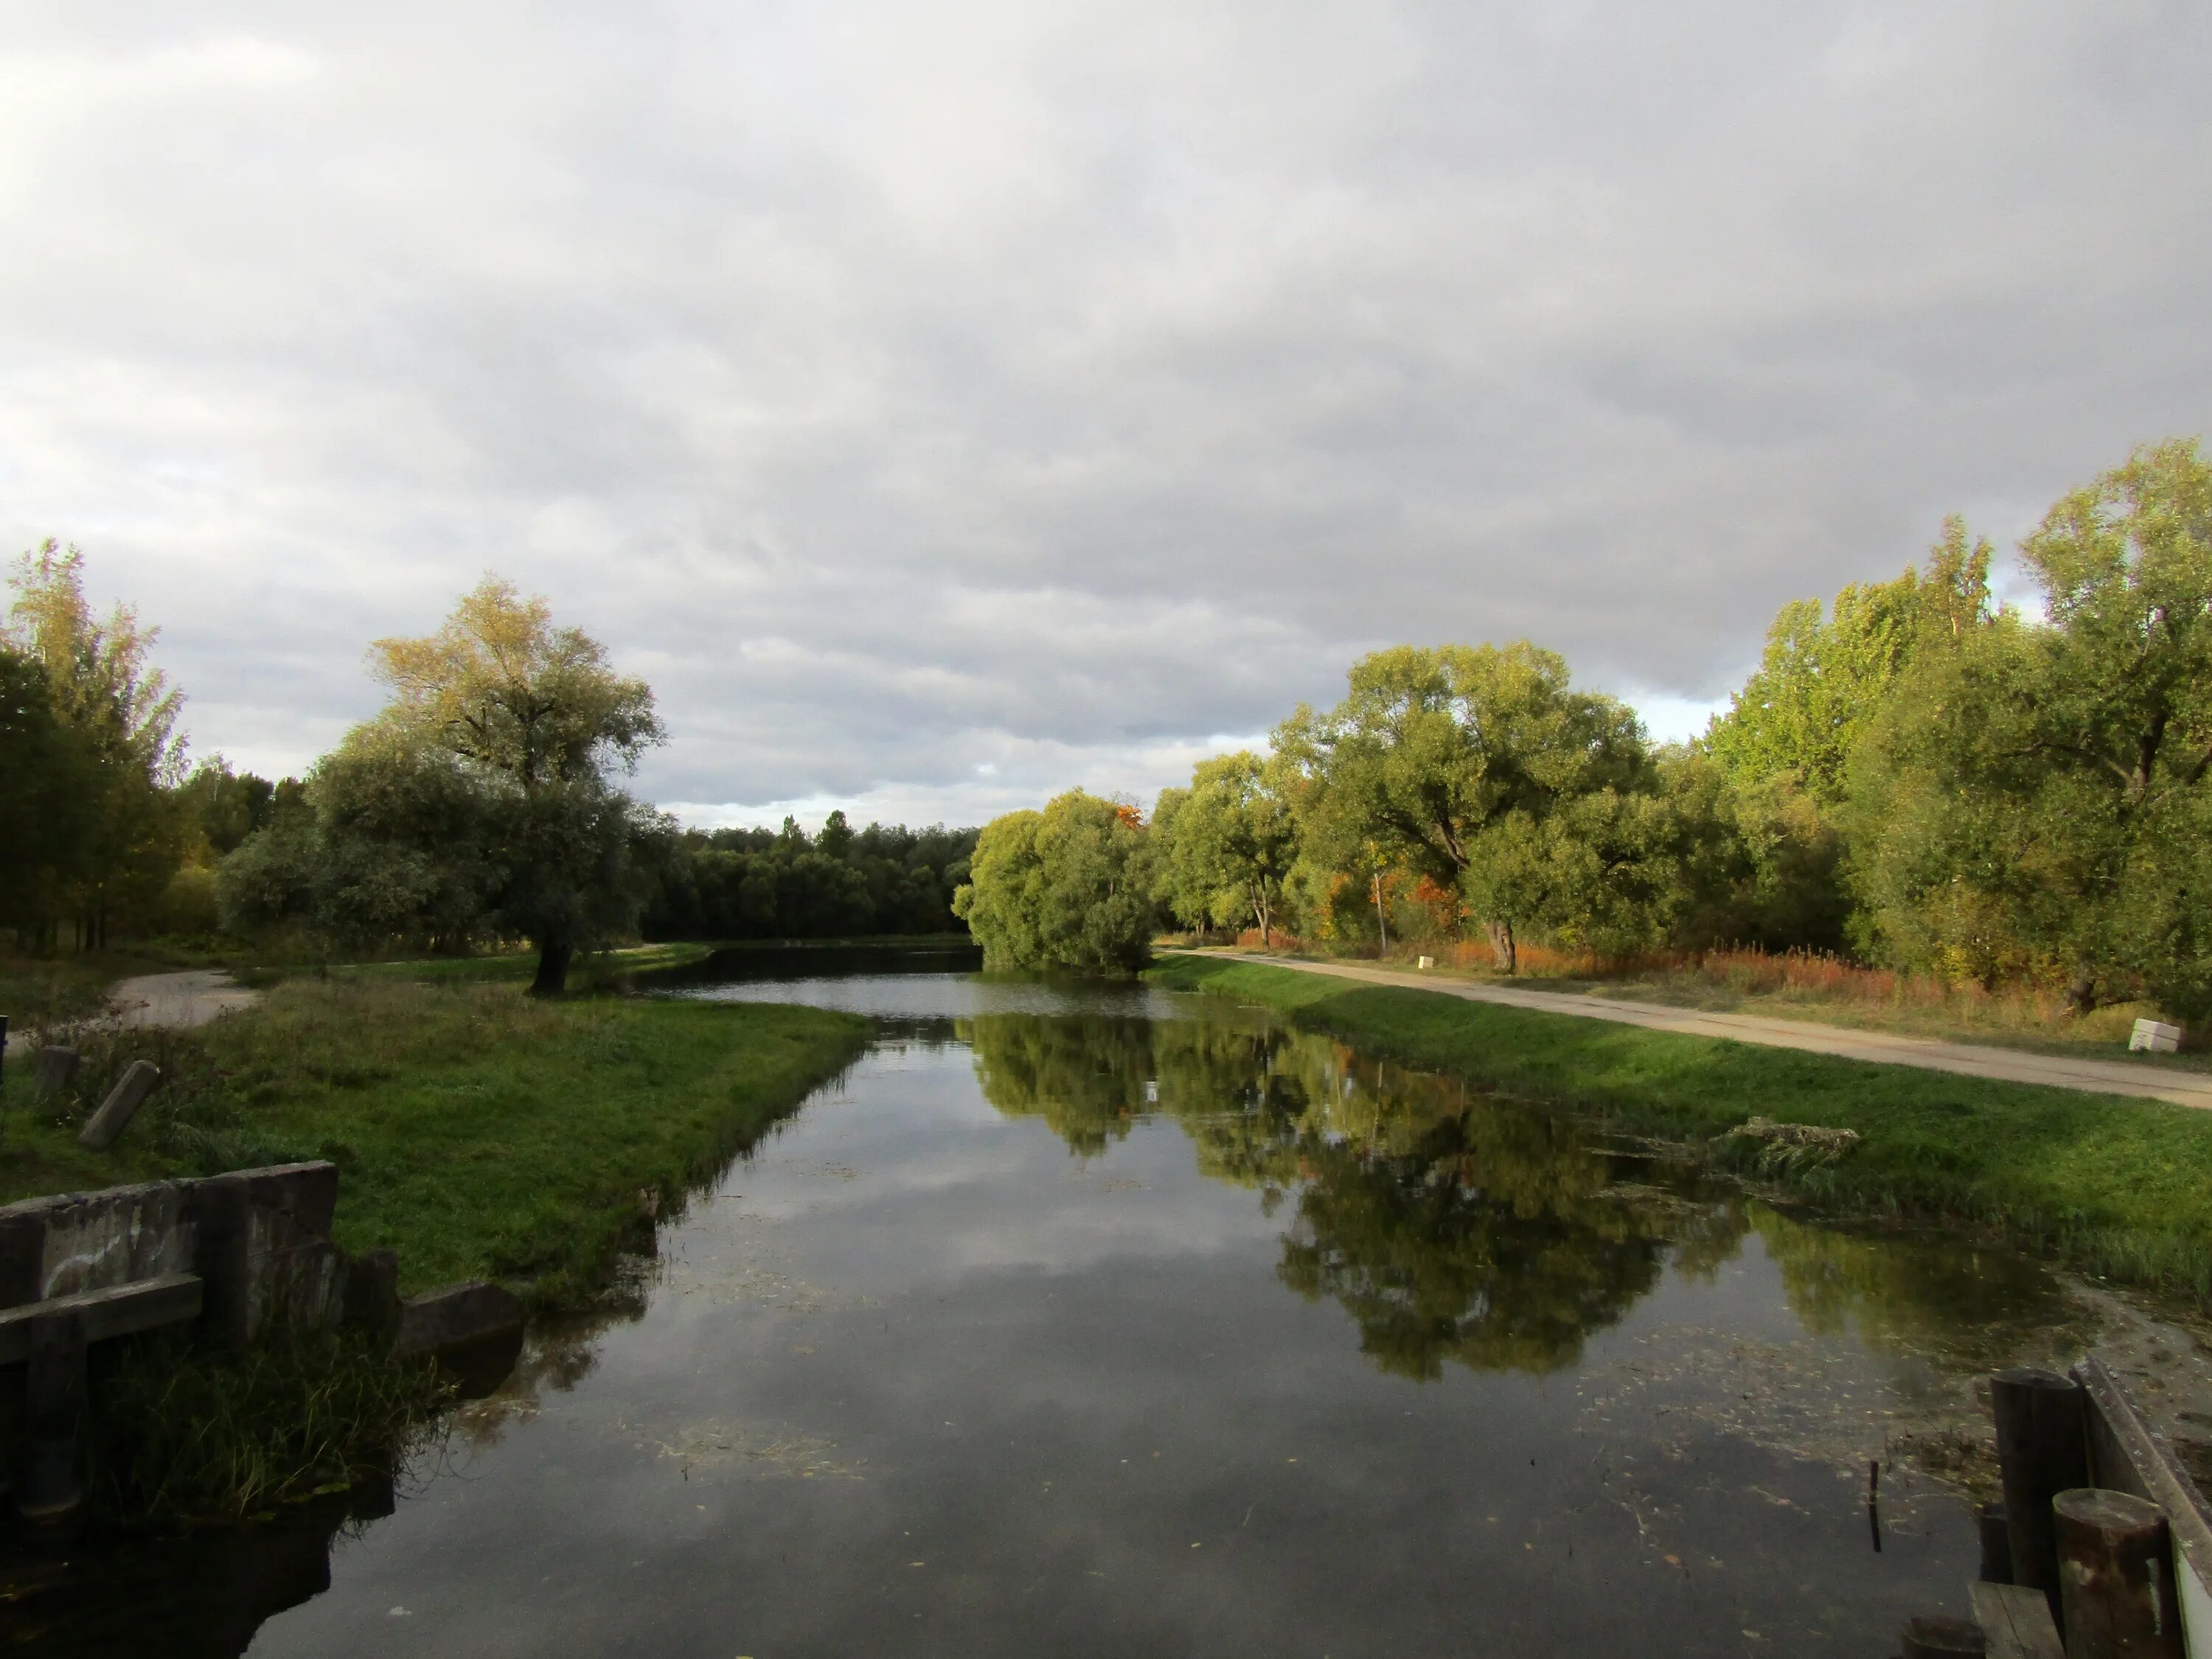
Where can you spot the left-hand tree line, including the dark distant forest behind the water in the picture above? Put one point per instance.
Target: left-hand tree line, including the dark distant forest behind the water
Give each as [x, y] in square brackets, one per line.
[481, 806]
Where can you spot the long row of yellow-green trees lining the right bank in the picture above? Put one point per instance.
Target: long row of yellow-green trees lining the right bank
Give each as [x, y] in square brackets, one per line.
[1917, 775]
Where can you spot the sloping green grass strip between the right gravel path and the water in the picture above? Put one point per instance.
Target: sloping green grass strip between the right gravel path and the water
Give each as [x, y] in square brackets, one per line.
[2120, 1187]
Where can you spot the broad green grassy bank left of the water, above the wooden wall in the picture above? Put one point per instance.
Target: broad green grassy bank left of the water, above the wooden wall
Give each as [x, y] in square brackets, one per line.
[477, 1131]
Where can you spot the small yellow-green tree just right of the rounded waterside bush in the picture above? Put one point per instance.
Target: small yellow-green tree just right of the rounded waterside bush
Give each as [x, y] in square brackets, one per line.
[1229, 844]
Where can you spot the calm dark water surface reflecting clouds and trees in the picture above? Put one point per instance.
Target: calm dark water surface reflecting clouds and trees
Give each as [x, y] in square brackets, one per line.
[1103, 1322]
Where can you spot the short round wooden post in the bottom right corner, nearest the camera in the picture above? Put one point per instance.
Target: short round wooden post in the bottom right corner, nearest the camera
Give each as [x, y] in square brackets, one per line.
[2116, 1576]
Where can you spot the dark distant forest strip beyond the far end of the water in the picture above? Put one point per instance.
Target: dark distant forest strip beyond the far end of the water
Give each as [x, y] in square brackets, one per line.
[844, 884]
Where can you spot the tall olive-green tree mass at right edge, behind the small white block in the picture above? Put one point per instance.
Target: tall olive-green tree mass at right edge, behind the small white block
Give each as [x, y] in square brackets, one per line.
[2036, 802]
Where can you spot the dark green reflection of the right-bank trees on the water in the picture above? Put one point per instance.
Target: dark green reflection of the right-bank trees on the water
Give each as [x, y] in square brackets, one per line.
[1450, 1227]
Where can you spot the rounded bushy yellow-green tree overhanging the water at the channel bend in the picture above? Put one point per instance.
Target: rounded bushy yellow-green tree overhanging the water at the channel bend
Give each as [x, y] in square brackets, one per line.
[1067, 888]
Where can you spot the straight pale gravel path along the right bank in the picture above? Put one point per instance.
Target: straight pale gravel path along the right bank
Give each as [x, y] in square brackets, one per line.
[1886, 1047]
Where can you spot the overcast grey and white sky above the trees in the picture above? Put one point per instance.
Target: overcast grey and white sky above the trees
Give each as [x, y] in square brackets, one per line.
[952, 404]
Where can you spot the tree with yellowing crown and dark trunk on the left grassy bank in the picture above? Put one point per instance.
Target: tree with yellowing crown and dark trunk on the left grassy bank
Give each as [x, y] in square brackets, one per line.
[541, 722]
